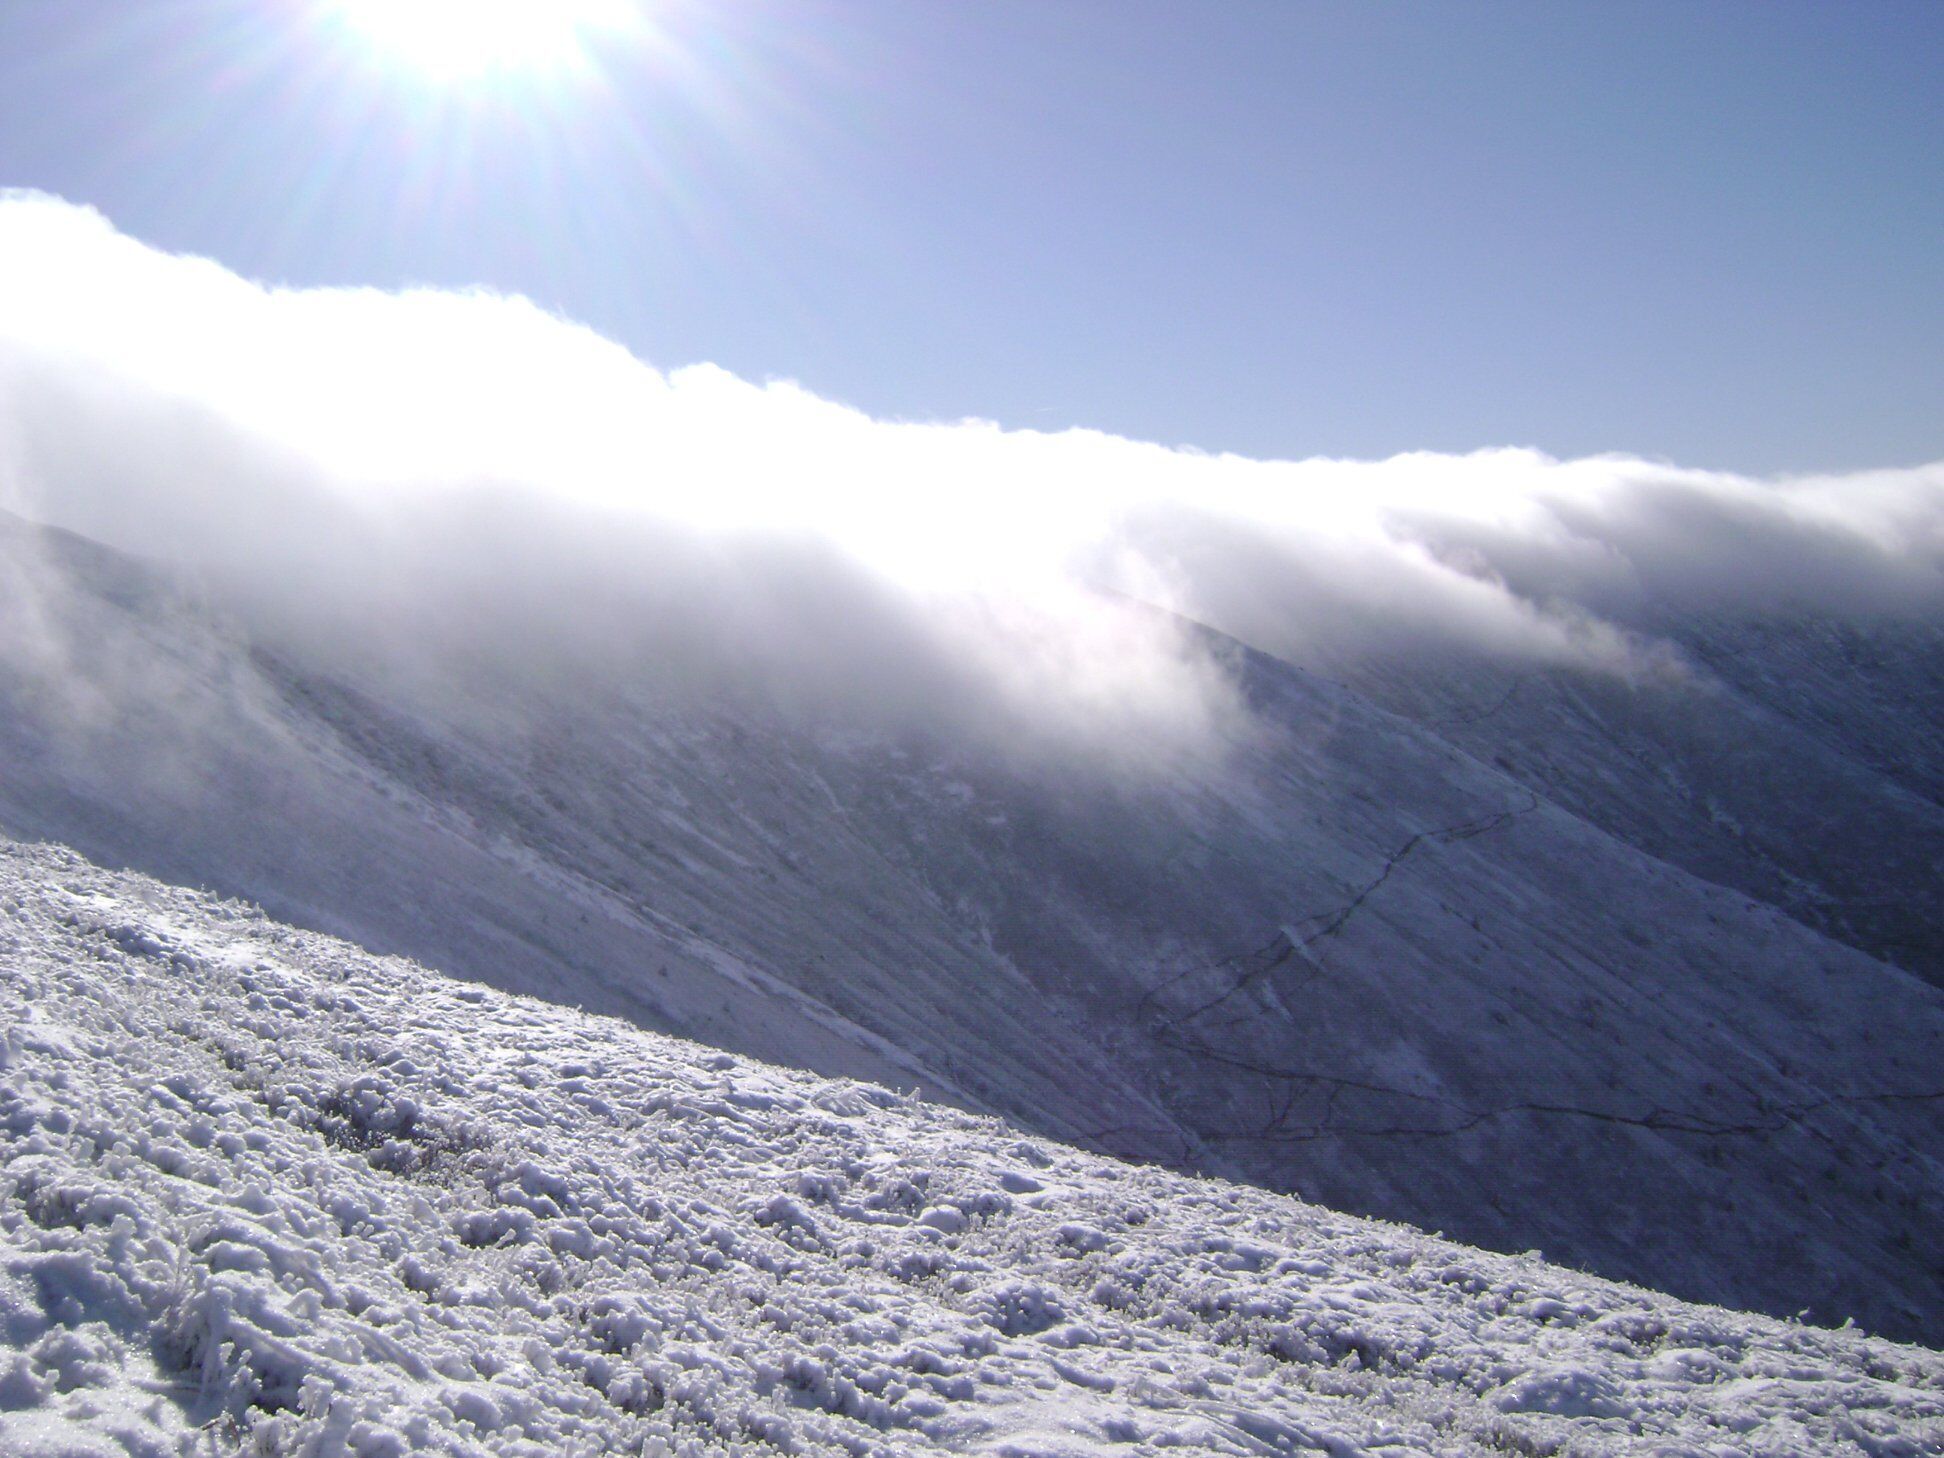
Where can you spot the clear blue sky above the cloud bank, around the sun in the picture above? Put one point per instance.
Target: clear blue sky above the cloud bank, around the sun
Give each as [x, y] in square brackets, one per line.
[1706, 232]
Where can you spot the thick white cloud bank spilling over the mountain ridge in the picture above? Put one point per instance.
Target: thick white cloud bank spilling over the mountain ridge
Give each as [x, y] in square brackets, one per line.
[468, 471]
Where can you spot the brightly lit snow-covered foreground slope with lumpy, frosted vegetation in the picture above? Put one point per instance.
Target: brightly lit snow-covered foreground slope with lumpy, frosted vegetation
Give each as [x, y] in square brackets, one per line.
[265, 1193]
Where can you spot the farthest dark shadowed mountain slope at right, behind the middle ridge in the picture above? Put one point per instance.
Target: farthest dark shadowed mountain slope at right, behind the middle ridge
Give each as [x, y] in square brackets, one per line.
[1795, 759]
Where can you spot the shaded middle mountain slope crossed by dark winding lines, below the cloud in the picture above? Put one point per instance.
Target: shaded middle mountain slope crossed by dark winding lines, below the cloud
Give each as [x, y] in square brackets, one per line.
[1344, 957]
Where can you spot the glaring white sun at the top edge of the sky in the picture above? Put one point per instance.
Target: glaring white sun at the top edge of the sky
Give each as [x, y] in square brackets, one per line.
[458, 40]
